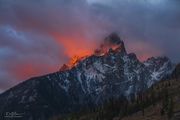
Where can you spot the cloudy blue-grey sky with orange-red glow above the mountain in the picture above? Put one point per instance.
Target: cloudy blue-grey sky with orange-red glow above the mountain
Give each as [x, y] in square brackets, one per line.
[38, 36]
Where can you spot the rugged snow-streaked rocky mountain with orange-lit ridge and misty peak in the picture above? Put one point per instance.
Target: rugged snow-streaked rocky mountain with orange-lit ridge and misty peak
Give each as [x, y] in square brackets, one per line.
[91, 80]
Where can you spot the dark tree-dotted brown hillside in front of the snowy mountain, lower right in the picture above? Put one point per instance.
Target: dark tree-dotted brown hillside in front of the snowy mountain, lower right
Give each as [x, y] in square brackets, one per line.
[160, 102]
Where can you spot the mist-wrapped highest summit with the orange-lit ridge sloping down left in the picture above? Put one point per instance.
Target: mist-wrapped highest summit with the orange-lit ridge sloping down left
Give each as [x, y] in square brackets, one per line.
[111, 44]
